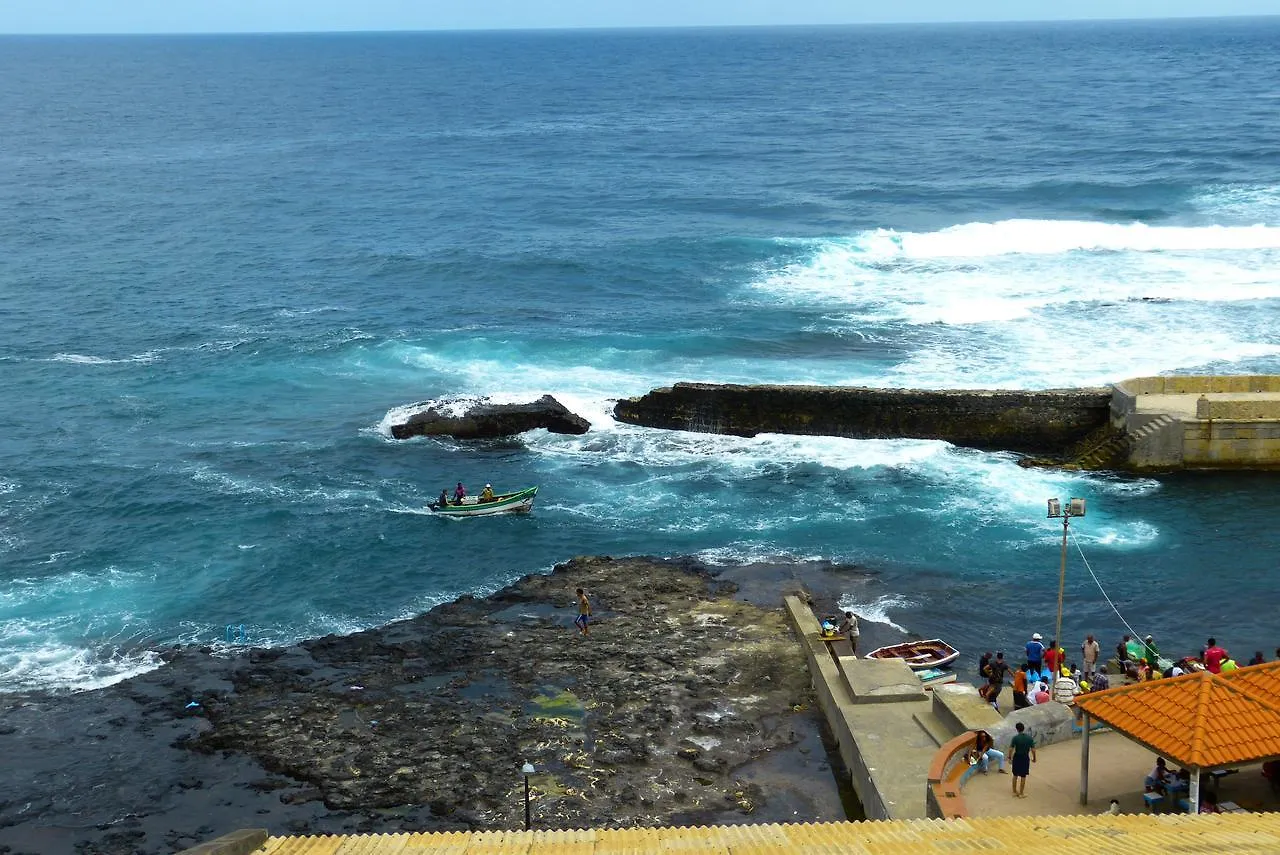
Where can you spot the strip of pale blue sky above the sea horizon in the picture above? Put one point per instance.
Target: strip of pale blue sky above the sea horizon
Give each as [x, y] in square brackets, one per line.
[324, 16]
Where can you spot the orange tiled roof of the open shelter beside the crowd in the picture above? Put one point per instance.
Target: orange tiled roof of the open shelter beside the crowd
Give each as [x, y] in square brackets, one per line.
[1200, 720]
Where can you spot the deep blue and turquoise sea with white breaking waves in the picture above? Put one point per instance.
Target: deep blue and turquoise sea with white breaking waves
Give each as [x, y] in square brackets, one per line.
[226, 263]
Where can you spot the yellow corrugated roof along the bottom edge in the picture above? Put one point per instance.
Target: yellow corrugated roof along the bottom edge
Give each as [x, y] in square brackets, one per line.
[1099, 835]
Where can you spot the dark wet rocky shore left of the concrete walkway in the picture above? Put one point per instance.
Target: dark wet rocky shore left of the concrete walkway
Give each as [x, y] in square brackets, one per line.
[687, 705]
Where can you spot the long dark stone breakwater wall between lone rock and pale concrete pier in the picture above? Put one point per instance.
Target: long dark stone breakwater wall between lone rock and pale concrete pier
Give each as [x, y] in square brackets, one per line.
[1037, 423]
